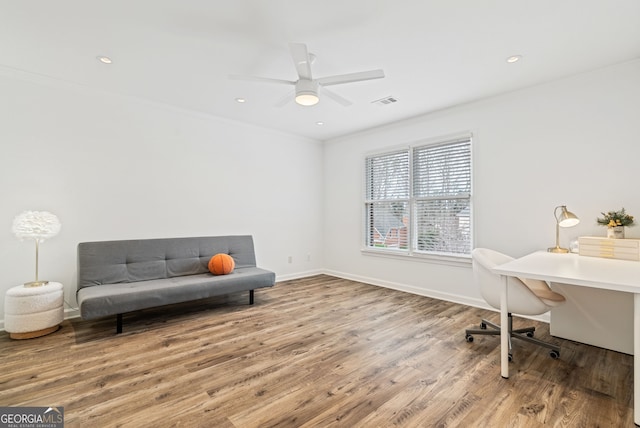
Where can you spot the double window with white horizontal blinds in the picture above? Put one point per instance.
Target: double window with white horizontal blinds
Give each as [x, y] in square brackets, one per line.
[418, 199]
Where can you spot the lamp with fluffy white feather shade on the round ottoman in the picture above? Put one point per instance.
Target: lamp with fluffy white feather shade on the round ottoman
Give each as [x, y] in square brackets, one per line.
[36, 225]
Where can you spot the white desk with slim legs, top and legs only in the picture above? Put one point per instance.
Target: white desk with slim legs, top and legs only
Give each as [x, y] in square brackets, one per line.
[595, 272]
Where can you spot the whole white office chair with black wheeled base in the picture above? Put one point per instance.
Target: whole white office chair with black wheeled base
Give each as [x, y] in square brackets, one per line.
[525, 297]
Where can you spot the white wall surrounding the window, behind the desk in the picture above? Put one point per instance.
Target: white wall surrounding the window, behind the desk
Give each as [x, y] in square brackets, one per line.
[573, 141]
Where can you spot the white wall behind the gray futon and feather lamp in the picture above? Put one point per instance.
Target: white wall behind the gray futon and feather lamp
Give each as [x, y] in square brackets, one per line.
[112, 167]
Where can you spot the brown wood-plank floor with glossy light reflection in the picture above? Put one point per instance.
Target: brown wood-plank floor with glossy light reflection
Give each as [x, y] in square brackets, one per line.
[313, 352]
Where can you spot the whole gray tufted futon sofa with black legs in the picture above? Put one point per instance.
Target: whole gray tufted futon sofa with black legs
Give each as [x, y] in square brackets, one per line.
[115, 277]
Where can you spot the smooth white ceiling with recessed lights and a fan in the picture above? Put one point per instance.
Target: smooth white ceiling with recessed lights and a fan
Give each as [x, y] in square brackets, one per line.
[435, 53]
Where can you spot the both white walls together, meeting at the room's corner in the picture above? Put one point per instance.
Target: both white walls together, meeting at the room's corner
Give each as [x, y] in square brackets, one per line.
[113, 167]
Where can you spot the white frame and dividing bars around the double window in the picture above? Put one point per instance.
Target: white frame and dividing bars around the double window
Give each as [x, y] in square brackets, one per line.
[412, 251]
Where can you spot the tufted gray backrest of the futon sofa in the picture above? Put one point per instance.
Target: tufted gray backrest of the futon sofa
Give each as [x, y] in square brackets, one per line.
[112, 262]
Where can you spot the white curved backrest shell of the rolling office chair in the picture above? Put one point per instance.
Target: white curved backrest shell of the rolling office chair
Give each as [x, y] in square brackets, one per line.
[521, 300]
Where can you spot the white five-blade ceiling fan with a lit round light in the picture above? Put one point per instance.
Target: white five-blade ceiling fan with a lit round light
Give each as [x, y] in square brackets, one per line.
[306, 87]
